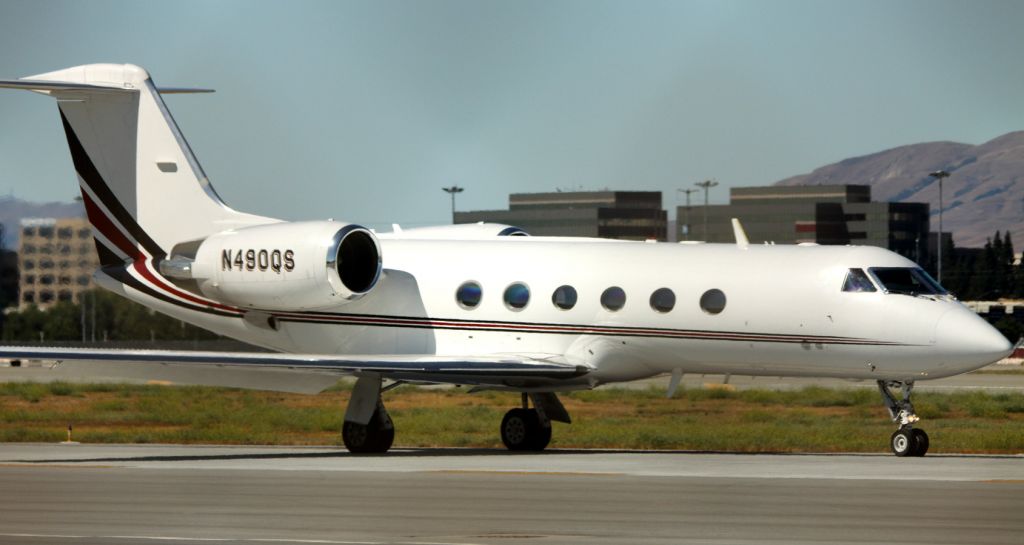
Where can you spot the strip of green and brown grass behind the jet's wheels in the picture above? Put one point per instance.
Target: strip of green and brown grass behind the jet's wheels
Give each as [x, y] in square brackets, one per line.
[814, 420]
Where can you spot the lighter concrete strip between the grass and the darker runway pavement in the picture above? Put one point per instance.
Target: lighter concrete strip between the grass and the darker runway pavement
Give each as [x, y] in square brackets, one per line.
[637, 464]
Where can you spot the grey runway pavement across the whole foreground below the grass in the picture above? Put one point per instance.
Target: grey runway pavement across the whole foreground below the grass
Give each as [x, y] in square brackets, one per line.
[135, 495]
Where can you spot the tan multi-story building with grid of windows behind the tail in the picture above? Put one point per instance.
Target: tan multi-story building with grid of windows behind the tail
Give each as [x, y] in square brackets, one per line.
[57, 260]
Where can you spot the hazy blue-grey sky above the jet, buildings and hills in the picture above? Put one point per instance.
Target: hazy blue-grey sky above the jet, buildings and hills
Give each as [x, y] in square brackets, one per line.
[362, 111]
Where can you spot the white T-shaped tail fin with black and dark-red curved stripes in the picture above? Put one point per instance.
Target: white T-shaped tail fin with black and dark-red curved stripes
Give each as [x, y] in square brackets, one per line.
[143, 188]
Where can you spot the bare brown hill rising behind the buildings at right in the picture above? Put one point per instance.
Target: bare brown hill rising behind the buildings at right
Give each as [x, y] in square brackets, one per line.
[984, 194]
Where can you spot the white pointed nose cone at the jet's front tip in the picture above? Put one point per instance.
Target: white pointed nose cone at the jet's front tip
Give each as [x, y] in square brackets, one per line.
[967, 341]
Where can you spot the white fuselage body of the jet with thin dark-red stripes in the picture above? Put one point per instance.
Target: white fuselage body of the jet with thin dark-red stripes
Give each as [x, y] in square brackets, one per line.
[786, 313]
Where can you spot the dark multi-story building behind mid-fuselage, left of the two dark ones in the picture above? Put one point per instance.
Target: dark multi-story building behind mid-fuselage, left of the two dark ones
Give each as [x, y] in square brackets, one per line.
[630, 216]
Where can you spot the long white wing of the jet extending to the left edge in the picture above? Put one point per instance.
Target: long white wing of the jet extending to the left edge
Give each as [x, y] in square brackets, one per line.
[302, 373]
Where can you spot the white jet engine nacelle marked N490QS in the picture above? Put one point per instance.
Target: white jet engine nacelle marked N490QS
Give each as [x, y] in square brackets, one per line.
[284, 267]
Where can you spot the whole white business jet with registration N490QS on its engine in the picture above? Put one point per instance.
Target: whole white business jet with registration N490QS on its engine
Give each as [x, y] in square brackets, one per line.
[480, 306]
